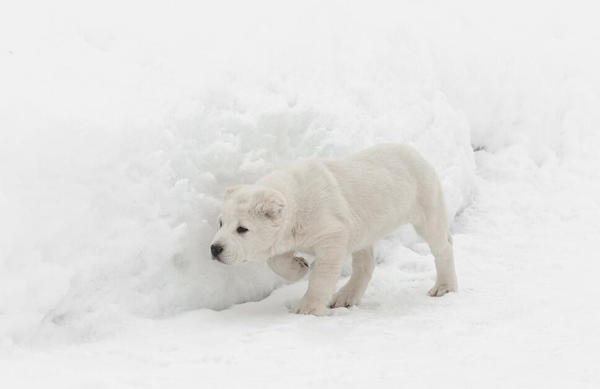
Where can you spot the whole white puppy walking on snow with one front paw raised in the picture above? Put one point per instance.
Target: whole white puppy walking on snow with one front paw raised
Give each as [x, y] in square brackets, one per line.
[330, 208]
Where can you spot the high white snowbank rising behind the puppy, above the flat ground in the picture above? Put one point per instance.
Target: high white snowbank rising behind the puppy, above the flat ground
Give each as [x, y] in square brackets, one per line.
[121, 128]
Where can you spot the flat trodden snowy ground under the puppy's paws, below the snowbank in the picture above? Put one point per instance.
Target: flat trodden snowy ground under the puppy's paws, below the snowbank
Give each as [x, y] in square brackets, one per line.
[526, 316]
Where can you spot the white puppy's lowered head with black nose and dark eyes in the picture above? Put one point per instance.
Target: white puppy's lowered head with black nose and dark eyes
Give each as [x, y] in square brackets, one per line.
[250, 219]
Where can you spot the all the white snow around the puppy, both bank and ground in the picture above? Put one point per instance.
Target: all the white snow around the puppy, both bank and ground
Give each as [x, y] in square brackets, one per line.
[122, 124]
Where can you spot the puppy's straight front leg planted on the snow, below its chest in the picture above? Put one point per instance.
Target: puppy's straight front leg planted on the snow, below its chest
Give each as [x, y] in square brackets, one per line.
[321, 283]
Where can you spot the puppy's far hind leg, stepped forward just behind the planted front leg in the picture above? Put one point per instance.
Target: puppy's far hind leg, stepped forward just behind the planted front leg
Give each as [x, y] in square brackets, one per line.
[363, 263]
